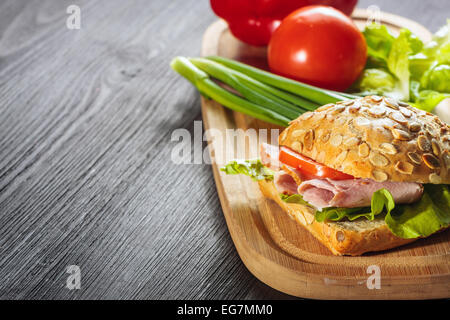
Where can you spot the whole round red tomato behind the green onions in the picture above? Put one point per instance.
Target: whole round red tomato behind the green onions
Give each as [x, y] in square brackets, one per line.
[318, 45]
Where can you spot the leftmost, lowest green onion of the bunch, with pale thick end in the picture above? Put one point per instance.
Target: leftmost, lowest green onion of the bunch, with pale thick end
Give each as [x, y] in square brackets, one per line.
[209, 88]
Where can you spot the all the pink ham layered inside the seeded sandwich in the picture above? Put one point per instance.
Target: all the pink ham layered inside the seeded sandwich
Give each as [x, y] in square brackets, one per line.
[323, 193]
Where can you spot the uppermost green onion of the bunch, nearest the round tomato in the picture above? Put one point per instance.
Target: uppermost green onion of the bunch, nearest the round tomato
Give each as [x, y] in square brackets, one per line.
[306, 91]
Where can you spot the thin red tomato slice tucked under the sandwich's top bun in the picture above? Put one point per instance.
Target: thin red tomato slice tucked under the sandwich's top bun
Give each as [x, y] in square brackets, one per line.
[307, 165]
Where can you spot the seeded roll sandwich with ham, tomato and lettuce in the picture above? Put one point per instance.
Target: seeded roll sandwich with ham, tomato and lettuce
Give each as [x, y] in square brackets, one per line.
[361, 175]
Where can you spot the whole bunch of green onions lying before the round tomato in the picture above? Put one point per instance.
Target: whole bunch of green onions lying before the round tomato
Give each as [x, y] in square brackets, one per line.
[257, 93]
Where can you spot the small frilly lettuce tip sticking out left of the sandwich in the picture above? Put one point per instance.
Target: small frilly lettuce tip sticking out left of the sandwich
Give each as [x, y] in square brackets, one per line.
[252, 168]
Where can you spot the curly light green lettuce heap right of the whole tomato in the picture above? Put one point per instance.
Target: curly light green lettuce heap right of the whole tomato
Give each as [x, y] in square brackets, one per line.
[405, 68]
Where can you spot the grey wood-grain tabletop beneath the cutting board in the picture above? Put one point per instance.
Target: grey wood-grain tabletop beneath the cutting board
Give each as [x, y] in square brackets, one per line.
[86, 118]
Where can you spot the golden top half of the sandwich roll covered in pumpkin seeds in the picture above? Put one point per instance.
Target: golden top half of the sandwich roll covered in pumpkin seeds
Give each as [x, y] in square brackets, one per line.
[376, 138]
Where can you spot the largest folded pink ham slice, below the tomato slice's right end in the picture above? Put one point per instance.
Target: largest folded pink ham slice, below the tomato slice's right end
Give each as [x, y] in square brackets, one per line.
[323, 193]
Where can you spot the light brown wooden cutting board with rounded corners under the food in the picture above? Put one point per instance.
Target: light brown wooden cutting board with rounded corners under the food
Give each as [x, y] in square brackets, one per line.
[277, 250]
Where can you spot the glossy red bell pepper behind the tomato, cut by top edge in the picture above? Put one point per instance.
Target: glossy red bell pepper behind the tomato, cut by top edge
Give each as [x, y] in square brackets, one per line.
[254, 21]
